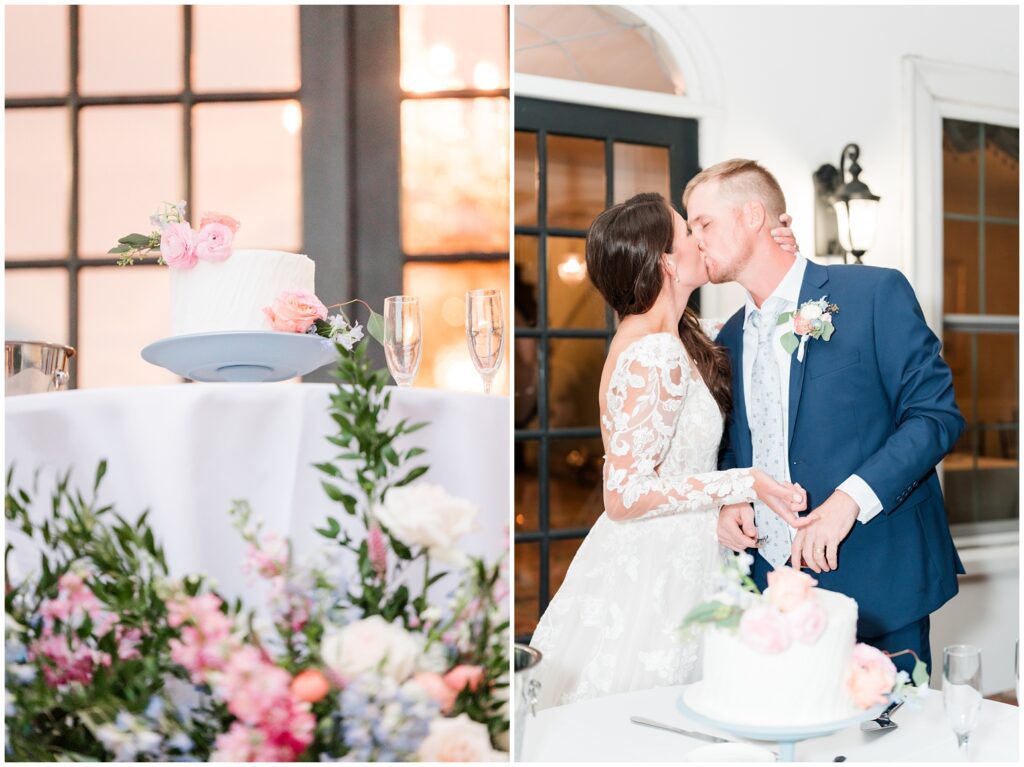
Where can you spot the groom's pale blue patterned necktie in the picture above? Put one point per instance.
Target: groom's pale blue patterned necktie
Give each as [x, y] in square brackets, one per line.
[767, 436]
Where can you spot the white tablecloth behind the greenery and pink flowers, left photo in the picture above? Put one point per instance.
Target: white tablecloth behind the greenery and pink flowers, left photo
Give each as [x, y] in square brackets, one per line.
[186, 452]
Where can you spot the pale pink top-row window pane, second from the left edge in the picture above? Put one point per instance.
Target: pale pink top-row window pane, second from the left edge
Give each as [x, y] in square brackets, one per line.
[149, 37]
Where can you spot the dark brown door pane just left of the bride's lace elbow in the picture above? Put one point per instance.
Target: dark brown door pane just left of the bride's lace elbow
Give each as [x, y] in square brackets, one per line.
[575, 484]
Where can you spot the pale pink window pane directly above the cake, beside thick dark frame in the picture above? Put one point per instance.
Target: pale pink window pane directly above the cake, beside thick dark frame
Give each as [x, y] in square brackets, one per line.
[247, 164]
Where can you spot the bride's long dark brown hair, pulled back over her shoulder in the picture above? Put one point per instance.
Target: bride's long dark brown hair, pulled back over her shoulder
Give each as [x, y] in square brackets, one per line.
[625, 245]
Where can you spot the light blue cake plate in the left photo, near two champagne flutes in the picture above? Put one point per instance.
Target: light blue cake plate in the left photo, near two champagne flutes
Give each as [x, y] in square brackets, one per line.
[242, 356]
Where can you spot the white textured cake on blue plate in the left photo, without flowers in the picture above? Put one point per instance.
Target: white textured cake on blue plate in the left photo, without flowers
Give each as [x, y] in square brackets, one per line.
[231, 295]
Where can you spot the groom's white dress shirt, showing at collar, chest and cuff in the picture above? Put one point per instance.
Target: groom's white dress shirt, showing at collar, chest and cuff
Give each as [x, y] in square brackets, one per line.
[789, 292]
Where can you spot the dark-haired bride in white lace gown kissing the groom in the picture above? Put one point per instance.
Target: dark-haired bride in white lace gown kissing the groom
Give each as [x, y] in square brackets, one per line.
[614, 625]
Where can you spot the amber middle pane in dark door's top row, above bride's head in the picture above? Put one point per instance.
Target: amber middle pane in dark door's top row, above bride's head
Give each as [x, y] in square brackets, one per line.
[576, 182]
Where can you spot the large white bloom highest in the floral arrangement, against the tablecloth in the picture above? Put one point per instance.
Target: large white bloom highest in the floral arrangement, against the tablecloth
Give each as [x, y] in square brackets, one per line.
[426, 516]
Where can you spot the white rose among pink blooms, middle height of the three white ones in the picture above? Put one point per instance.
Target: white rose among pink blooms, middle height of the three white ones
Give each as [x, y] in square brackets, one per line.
[363, 646]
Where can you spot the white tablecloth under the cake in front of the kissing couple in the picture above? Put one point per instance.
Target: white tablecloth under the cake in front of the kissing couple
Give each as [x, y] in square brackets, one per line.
[600, 731]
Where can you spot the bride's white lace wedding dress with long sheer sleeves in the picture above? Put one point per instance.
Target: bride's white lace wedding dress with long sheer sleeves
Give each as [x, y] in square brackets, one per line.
[615, 624]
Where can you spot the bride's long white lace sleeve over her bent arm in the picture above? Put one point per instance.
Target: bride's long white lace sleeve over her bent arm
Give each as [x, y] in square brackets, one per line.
[644, 403]
